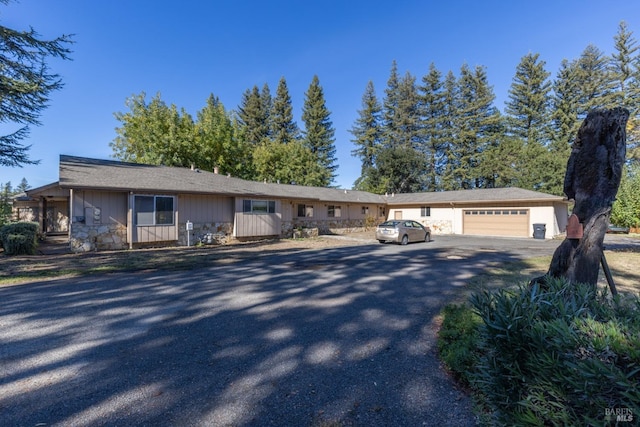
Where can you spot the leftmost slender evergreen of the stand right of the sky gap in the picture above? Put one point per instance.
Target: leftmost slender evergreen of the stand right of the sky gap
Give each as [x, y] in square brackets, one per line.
[367, 135]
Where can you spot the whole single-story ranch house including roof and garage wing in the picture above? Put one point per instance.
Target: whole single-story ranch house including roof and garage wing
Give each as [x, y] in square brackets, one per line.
[106, 204]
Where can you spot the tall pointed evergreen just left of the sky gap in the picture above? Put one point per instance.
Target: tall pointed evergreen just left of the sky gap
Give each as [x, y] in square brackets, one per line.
[318, 135]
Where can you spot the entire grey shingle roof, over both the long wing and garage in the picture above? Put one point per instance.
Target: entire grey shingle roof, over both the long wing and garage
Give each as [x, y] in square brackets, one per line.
[86, 173]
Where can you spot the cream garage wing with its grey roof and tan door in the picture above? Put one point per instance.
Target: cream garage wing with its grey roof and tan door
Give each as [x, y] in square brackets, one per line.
[511, 212]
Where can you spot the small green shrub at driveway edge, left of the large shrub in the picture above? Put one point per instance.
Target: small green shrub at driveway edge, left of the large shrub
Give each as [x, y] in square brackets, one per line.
[458, 340]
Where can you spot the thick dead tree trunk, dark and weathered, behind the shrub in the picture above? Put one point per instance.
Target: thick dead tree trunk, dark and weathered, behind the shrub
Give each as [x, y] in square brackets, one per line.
[593, 175]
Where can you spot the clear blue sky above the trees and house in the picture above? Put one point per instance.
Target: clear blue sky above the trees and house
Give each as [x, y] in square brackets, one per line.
[189, 49]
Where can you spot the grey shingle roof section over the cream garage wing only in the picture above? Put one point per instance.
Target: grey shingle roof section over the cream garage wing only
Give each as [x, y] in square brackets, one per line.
[484, 195]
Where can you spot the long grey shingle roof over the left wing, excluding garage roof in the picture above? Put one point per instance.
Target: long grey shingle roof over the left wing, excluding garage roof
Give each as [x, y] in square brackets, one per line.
[85, 173]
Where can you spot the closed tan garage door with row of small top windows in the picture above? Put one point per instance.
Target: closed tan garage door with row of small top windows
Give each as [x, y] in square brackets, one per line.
[497, 222]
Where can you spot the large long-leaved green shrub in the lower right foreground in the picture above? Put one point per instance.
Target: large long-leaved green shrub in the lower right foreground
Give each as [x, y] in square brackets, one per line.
[566, 355]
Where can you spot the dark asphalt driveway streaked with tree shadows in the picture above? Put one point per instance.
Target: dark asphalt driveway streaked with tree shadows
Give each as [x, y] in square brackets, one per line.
[342, 336]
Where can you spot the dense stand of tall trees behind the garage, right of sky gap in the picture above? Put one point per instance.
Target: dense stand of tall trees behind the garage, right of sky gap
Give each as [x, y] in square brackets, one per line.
[460, 139]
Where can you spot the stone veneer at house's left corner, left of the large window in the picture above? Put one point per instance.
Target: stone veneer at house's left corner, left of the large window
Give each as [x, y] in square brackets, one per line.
[86, 238]
